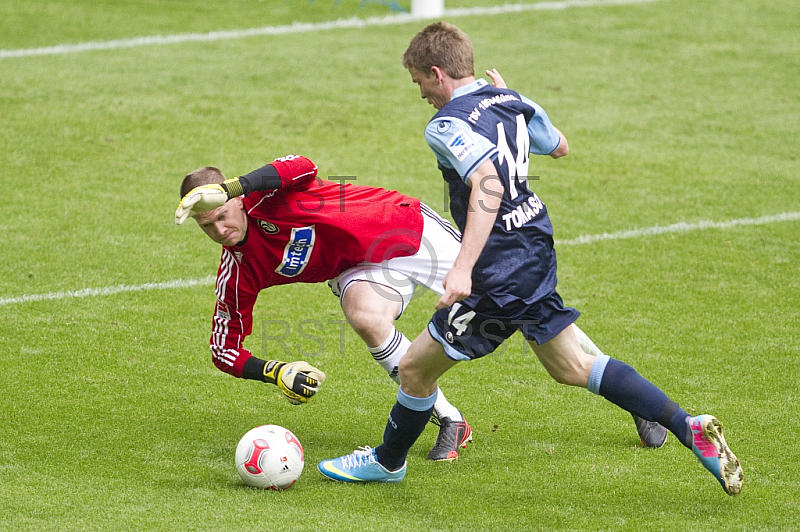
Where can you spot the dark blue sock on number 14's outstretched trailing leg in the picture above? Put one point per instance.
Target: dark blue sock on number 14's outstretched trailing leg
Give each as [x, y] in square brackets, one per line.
[623, 386]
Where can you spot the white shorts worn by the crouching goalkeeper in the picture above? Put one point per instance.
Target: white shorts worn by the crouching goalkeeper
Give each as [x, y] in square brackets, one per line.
[402, 276]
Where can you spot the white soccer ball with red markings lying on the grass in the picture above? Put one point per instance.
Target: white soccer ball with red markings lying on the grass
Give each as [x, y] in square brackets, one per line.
[269, 457]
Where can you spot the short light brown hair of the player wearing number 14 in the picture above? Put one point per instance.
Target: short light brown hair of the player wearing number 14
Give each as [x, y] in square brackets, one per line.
[444, 45]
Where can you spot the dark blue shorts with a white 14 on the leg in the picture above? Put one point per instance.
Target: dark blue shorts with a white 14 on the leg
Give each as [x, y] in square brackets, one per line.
[467, 333]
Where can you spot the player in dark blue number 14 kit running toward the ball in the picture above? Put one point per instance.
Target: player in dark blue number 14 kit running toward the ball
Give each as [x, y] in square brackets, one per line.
[504, 277]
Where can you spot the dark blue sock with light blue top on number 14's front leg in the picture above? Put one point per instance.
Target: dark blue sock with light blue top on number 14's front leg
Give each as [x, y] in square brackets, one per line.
[406, 422]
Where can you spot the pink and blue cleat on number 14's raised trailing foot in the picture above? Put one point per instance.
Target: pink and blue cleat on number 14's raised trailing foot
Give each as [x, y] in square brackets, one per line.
[708, 444]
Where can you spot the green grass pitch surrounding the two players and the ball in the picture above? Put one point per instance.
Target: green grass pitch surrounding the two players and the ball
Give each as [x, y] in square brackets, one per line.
[112, 416]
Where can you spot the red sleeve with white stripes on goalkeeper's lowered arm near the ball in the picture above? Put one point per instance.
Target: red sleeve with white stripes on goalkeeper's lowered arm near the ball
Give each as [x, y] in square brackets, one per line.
[233, 316]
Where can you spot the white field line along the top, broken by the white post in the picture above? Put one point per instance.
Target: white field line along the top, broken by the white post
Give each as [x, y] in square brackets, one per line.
[302, 27]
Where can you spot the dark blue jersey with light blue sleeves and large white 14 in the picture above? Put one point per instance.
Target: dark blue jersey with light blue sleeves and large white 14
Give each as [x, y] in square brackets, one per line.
[483, 122]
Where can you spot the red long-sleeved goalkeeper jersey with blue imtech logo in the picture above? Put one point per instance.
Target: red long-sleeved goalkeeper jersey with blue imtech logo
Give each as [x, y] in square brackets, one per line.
[308, 231]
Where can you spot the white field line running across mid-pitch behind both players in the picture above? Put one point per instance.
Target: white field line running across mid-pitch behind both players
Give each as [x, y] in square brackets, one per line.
[585, 239]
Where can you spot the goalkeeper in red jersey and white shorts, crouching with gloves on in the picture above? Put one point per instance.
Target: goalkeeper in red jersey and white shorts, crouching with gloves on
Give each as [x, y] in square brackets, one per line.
[281, 224]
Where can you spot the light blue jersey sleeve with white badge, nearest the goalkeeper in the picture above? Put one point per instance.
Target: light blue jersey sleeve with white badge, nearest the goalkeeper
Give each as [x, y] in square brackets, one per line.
[457, 145]
